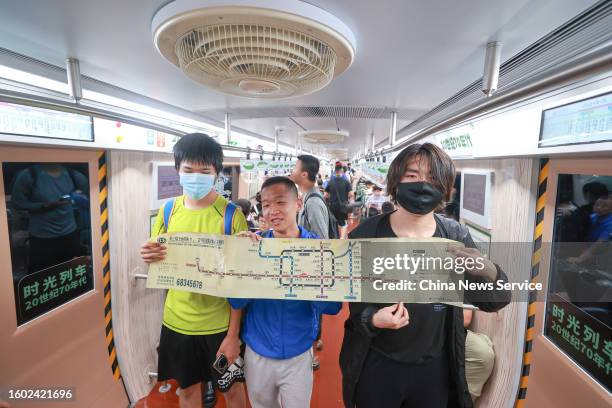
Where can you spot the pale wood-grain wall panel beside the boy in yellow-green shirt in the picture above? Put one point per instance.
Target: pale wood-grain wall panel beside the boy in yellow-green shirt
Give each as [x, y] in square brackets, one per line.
[137, 311]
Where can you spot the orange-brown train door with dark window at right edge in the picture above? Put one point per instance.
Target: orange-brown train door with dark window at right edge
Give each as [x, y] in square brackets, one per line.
[571, 358]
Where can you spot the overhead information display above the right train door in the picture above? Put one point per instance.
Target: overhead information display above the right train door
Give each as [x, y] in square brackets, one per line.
[586, 121]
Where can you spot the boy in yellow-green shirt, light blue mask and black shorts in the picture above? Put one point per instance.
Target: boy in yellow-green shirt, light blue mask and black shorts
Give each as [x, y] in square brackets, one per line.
[196, 328]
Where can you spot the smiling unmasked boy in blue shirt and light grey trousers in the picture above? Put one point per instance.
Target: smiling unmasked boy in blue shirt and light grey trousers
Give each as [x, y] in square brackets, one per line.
[279, 333]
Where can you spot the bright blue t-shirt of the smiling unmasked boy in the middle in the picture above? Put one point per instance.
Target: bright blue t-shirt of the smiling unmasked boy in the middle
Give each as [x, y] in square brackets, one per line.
[282, 329]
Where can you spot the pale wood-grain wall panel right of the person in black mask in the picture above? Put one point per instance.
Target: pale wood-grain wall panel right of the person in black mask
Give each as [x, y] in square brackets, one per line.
[512, 212]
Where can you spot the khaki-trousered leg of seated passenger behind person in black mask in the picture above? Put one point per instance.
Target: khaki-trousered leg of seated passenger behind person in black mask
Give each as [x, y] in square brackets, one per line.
[479, 357]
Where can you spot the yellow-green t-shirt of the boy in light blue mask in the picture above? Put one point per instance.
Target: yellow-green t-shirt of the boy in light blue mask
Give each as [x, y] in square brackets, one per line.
[194, 313]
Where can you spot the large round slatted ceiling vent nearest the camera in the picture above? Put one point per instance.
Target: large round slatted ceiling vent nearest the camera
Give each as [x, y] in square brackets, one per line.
[254, 48]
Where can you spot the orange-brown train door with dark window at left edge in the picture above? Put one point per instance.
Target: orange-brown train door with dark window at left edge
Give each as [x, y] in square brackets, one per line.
[54, 343]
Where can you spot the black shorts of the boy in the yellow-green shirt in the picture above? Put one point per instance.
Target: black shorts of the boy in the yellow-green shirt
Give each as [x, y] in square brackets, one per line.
[188, 359]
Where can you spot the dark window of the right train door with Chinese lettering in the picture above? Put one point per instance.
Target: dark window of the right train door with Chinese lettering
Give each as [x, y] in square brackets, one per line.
[578, 309]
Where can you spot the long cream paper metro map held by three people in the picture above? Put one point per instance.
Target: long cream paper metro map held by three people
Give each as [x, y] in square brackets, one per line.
[372, 270]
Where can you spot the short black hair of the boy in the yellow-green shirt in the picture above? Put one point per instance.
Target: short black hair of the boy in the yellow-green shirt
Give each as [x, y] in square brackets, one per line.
[198, 148]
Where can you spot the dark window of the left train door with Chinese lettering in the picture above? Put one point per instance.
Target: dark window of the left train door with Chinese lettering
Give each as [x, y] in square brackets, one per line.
[48, 214]
